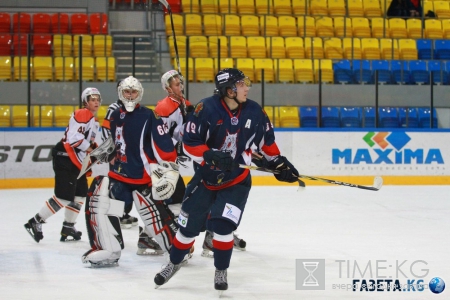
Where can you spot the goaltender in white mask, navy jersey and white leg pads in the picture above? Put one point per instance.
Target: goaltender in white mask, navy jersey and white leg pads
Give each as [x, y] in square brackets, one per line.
[144, 172]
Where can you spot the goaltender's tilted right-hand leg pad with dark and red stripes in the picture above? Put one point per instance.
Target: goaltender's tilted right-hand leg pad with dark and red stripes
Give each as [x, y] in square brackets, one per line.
[158, 219]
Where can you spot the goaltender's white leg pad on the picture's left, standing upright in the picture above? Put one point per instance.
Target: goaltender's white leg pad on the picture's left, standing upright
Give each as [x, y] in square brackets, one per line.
[103, 226]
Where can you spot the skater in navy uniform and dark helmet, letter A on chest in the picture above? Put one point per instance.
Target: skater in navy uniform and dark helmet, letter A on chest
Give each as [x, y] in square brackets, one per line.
[218, 136]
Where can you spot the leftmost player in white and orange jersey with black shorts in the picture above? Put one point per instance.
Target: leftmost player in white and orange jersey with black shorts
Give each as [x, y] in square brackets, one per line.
[68, 155]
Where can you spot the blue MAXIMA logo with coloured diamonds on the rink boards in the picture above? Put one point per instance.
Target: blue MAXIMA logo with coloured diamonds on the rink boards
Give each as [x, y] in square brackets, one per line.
[387, 148]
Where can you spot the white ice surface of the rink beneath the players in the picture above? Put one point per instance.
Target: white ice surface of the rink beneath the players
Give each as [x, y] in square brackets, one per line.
[400, 232]
